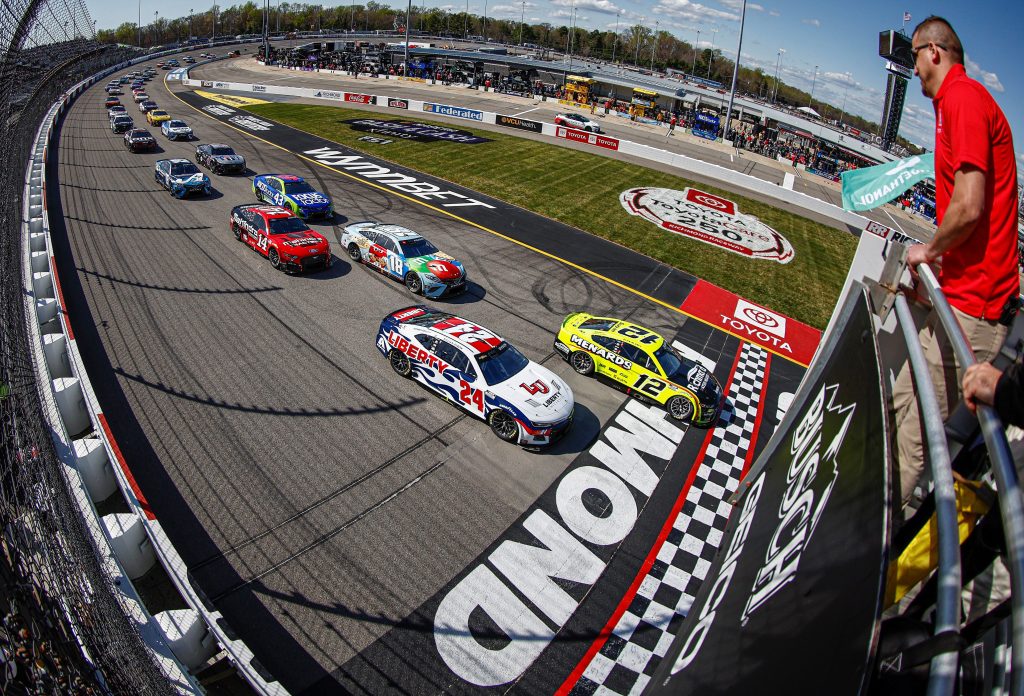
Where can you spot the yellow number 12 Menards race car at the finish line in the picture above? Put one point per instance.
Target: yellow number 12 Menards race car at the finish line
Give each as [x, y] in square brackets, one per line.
[639, 362]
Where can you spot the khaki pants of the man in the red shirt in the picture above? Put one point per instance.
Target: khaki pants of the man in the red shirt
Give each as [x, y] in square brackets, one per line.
[986, 338]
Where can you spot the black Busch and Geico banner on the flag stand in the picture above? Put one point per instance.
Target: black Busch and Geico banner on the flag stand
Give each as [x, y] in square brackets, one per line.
[792, 600]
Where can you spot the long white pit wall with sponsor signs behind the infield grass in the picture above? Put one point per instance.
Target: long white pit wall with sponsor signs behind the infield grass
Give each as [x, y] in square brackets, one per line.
[602, 144]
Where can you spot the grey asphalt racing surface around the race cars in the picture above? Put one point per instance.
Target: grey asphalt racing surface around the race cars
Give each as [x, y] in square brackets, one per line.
[317, 498]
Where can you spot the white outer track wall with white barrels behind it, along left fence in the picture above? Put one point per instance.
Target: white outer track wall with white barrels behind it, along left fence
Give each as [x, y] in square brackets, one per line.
[129, 544]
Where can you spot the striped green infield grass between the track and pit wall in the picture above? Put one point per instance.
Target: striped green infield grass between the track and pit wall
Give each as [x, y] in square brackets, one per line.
[582, 190]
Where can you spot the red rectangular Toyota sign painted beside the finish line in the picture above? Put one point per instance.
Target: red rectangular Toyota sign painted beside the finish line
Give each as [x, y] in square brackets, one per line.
[753, 323]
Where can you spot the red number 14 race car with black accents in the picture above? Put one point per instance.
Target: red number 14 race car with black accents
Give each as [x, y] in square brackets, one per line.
[281, 237]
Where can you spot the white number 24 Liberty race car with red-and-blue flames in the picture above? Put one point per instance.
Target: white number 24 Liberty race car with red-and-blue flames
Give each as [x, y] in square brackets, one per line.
[478, 371]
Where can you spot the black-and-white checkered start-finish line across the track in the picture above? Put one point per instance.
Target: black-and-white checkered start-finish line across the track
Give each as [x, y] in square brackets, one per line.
[642, 638]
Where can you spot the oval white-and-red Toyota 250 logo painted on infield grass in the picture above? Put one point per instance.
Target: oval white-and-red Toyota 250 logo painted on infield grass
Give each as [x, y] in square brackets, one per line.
[708, 219]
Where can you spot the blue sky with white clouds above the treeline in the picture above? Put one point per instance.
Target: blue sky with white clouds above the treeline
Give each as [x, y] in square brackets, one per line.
[839, 38]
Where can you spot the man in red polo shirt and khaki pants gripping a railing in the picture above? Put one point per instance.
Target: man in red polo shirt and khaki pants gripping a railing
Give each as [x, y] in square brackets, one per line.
[975, 245]
